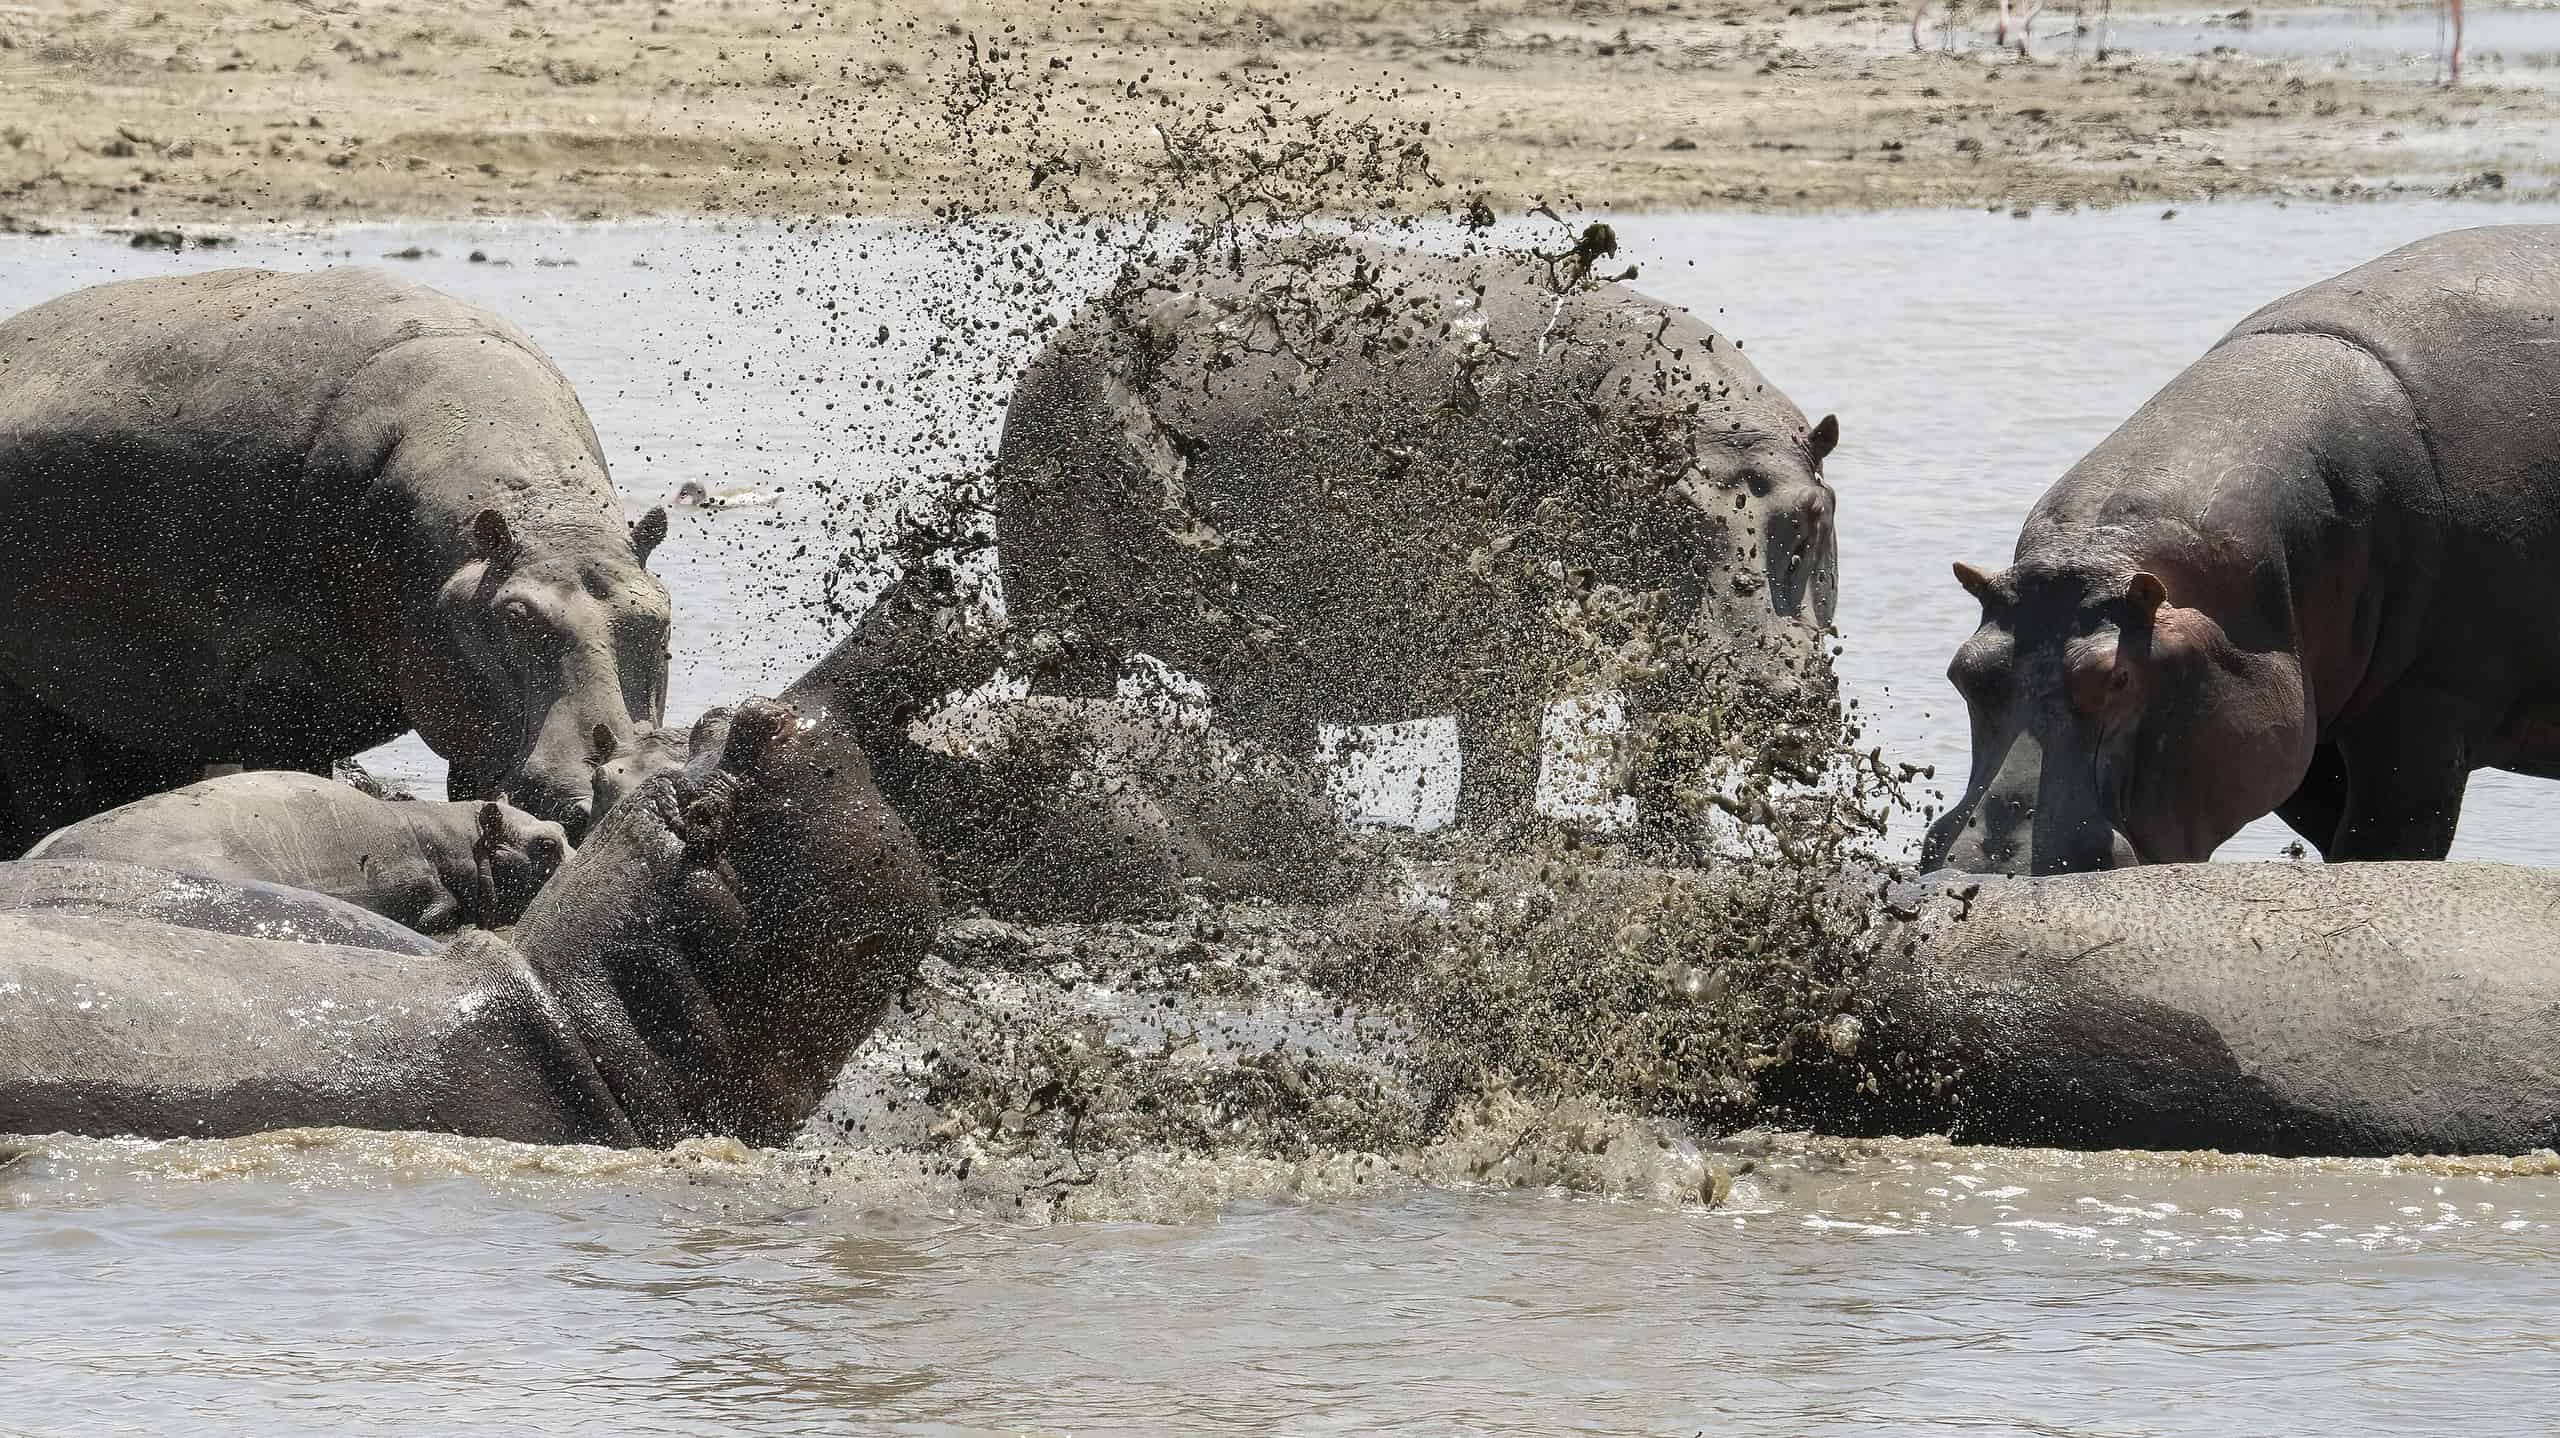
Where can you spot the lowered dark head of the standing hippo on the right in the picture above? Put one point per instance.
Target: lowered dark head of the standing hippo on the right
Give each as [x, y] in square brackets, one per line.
[2113, 725]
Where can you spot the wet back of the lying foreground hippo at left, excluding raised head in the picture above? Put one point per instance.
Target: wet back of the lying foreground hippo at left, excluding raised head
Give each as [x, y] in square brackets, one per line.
[132, 1027]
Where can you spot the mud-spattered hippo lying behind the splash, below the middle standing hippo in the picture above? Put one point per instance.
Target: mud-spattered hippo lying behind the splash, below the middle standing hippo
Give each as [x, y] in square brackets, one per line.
[1053, 810]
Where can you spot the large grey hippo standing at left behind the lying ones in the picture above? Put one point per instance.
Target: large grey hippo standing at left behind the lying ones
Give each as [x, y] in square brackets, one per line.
[278, 518]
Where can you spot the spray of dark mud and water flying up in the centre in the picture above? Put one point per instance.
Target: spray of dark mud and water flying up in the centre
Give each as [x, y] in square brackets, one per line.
[1468, 1004]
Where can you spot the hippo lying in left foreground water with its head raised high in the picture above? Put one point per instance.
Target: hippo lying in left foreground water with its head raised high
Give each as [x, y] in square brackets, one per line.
[705, 966]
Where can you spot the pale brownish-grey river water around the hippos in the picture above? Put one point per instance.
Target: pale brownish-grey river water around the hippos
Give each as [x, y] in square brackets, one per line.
[332, 1283]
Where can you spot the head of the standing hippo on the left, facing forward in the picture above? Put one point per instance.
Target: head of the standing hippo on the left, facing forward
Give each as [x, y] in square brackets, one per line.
[536, 649]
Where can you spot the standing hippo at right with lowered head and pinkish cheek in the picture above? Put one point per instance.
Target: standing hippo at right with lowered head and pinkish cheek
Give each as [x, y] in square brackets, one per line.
[2277, 587]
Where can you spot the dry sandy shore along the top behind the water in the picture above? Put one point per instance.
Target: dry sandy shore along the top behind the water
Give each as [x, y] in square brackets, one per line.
[232, 111]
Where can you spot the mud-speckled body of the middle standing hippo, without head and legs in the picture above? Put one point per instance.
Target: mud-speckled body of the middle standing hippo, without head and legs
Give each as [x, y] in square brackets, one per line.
[1340, 508]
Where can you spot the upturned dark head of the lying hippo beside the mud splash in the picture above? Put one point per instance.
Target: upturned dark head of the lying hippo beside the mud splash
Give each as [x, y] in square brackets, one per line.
[751, 912]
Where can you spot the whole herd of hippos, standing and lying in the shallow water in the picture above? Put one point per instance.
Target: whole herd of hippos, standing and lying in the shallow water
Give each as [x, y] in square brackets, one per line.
[265, 521]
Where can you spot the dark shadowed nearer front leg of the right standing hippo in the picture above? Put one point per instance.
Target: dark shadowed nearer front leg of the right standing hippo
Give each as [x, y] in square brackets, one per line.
[2408, 769]
